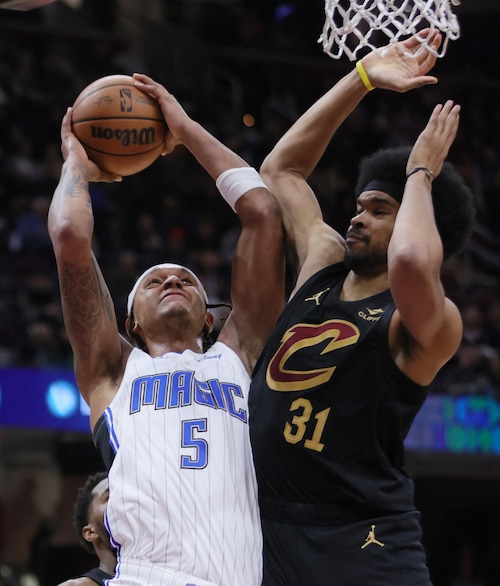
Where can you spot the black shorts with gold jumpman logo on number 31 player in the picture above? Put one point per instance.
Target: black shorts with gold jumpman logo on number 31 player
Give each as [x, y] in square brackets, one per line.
[384, 551]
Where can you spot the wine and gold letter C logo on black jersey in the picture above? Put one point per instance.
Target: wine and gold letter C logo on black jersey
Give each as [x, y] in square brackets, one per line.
[337, 333]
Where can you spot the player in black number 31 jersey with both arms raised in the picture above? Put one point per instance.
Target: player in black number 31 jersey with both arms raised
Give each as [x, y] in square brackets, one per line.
[367, 328]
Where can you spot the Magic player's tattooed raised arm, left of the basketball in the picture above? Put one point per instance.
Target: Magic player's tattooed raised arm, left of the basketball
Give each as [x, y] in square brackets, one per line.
[87, 306]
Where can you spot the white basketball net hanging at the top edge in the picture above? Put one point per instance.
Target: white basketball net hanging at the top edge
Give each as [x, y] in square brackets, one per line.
[353, 25]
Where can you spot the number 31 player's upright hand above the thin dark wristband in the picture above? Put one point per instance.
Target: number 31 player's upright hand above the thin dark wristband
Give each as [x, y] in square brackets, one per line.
[433, 144]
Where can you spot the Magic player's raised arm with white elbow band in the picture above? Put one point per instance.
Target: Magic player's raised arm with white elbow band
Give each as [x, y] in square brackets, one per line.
[257, 289]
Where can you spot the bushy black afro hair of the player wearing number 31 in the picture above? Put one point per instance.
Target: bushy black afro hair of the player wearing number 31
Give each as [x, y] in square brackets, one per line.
[452, 199]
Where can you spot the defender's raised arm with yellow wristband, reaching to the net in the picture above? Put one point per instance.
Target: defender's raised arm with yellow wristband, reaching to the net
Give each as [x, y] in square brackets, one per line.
[287, 167]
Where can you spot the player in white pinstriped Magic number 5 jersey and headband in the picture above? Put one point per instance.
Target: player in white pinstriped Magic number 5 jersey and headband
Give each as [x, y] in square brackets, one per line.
[170, 417]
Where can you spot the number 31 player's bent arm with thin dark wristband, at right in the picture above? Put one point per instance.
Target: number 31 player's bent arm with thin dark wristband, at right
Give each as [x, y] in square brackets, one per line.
[415, 256]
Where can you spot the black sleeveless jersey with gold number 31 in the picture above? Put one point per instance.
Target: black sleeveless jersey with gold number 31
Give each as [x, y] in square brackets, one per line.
[329, 409]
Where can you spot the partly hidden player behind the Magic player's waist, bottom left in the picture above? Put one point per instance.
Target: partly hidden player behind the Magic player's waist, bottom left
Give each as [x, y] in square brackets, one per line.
[88, 519]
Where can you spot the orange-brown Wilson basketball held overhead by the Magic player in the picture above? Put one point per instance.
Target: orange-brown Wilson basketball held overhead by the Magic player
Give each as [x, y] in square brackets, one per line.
[121, 128]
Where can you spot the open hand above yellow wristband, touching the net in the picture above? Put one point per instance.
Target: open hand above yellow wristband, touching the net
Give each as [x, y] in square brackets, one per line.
[398, 71]
